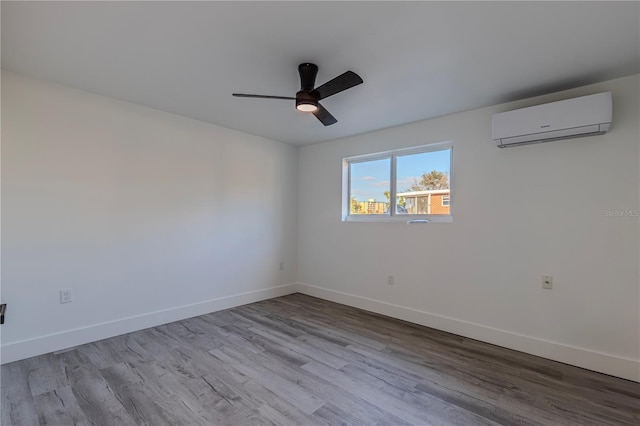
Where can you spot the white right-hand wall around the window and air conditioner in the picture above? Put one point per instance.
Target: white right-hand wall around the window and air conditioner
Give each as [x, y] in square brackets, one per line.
[519, 213]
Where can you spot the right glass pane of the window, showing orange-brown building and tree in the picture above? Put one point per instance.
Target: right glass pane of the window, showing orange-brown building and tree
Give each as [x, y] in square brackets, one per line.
[422, 183]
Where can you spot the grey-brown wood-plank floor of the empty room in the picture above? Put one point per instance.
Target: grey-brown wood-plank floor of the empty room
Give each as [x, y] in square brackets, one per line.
[298, 360]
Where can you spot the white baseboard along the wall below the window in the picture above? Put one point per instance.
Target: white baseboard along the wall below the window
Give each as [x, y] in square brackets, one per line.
[625, 368]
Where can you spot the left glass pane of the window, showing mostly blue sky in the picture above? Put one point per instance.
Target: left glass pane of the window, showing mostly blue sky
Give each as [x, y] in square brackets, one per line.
[369, 186]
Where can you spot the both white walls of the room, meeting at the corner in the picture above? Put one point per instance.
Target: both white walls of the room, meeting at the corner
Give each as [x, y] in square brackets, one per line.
[152, 217]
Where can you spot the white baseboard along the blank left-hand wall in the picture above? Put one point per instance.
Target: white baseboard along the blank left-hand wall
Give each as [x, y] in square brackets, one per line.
[22, 349]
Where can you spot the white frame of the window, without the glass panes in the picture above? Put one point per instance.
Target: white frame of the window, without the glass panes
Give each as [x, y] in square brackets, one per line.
[392, 216]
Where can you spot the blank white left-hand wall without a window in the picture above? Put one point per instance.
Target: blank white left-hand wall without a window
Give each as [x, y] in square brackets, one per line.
[150, 217]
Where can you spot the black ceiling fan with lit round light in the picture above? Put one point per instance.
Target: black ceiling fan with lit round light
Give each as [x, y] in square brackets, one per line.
[307, 99]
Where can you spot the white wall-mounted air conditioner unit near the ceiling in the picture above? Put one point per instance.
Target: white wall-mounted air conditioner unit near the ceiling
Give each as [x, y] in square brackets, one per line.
[571, 118]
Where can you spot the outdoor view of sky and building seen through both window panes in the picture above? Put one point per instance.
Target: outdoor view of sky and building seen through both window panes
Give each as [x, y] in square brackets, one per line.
[422, 182]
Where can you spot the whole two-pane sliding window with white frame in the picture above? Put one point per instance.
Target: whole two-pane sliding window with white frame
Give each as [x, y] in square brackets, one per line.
[399, 185]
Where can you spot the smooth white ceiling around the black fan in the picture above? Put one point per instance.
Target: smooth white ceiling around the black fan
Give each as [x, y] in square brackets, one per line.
[418, 59]
